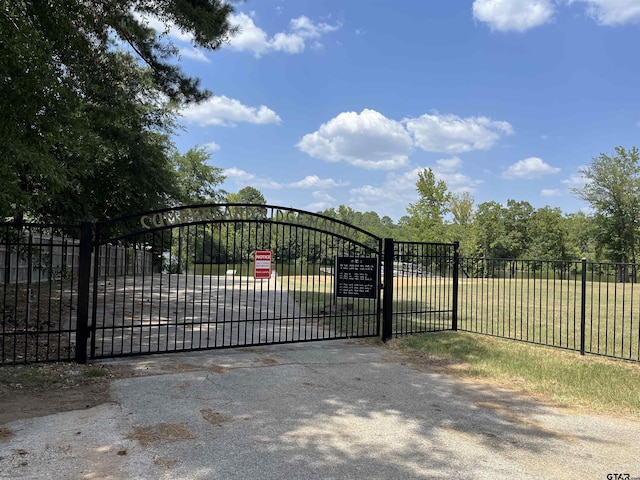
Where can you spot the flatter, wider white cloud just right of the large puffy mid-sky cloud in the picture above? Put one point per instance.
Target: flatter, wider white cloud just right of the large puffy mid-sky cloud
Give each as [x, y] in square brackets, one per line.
[452, 134]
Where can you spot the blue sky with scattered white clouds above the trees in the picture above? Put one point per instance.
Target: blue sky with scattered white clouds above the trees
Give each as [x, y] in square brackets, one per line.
[319, 104]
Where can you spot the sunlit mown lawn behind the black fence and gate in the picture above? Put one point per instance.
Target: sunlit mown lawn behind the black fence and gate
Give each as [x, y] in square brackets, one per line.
[538, 310]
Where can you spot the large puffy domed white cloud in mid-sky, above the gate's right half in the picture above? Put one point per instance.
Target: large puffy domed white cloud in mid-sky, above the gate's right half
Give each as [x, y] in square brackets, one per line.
[367, 139]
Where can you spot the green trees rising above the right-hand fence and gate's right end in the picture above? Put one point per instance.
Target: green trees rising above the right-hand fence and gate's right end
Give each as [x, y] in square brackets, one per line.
[609, 231]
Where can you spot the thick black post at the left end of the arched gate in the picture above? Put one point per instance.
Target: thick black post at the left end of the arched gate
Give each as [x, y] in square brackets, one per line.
[84, 276]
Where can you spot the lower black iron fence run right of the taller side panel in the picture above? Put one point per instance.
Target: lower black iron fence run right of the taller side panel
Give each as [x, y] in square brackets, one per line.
[576, 305]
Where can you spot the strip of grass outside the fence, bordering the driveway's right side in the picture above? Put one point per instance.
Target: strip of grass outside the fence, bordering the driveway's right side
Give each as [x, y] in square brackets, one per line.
[561, 377]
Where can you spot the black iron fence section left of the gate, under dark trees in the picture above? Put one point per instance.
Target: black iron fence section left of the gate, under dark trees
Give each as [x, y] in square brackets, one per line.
[38, 292]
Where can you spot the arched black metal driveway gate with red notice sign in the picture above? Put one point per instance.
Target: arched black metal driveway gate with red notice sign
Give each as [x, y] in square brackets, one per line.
[187, 279]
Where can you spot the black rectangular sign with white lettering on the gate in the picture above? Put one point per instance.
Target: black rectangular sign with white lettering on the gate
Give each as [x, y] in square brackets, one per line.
[356, 277]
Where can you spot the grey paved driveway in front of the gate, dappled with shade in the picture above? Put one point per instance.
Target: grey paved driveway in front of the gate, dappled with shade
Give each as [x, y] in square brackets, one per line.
[338, 409]
